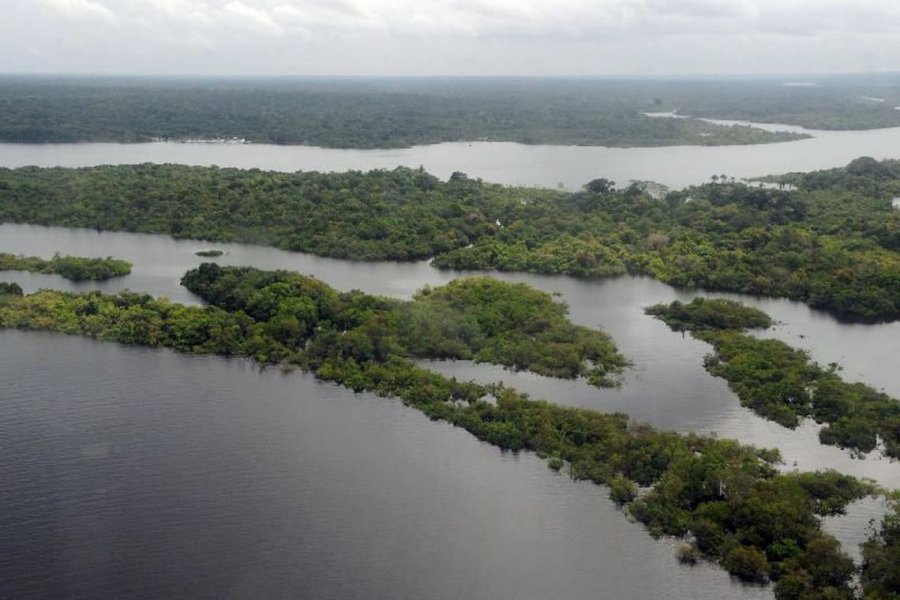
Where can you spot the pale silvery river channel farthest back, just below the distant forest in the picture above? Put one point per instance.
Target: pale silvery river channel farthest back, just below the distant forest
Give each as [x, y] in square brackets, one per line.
[500, 162]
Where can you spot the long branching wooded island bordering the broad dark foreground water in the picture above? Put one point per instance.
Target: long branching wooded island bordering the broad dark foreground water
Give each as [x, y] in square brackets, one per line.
[727, 501]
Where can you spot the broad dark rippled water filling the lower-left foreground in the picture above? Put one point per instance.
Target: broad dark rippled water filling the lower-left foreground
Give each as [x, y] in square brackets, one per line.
[131, 472]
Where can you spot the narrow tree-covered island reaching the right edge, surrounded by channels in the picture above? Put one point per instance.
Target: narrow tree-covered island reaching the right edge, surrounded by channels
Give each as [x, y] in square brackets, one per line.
[781, 383]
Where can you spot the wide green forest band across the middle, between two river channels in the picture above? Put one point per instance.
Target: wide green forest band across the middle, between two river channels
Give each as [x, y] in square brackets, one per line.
[832, 243]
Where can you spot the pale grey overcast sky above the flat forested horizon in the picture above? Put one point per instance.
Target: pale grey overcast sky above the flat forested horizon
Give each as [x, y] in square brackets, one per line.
[449, 37]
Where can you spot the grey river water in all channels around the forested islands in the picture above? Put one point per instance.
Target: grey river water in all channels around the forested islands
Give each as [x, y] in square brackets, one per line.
[145, 473]
